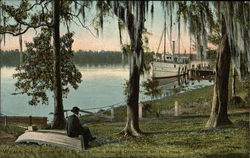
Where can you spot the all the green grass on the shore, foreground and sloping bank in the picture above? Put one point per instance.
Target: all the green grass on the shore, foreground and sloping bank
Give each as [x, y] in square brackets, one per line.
[166, 136]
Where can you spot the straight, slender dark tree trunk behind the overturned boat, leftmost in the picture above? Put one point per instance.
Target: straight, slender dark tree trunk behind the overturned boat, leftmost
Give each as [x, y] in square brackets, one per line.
[58, 121]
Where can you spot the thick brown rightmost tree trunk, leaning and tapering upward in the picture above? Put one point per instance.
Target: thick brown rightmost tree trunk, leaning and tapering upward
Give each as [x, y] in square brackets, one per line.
[219, 116]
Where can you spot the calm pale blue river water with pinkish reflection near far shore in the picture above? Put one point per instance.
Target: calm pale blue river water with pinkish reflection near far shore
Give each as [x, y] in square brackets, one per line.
[101, 85]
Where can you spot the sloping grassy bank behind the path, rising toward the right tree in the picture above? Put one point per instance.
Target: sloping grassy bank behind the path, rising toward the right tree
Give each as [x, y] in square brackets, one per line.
[194, 103]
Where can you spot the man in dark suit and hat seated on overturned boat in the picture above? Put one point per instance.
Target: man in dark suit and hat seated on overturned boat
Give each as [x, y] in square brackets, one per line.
[74, 127]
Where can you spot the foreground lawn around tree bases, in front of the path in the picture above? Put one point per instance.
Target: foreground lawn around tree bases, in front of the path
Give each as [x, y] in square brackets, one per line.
[165, 138]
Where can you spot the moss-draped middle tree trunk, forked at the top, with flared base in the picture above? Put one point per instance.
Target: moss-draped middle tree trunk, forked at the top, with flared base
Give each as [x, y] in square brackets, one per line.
[135, 26]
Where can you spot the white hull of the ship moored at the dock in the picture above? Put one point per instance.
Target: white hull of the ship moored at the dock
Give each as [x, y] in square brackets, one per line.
[166, 70]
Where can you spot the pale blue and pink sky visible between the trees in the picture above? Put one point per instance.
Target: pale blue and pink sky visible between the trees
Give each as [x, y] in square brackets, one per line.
[109, 41]
